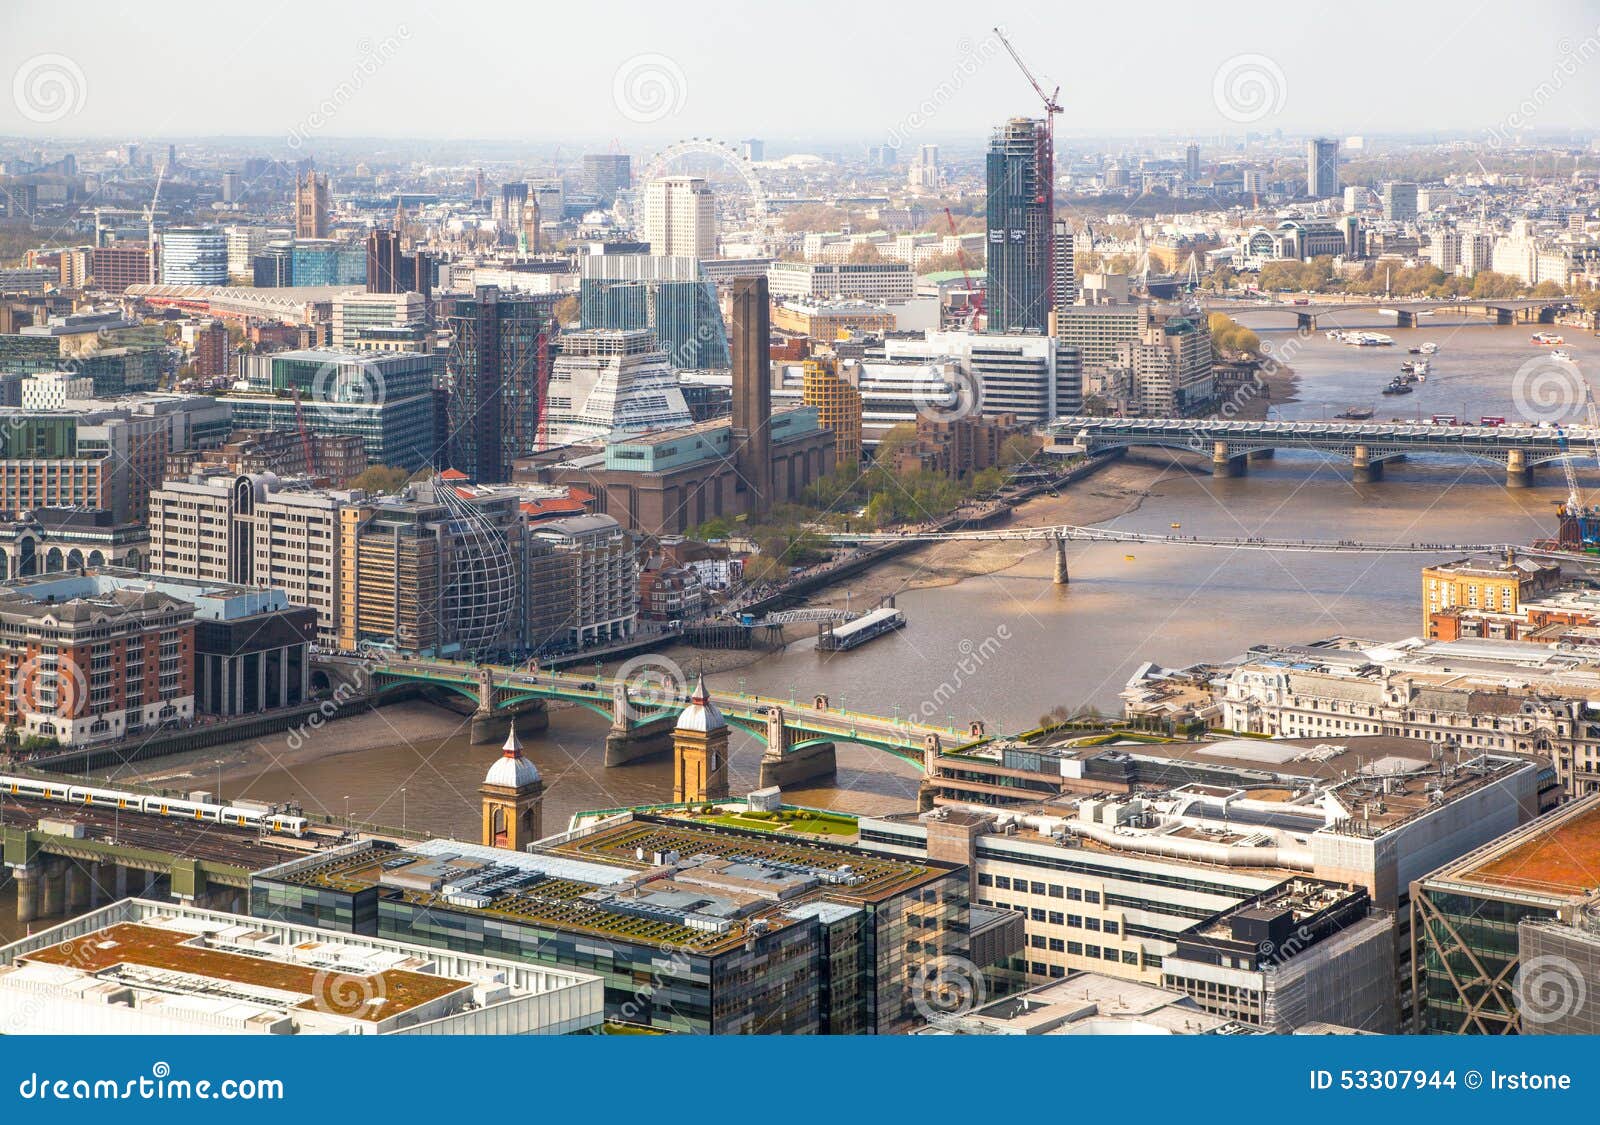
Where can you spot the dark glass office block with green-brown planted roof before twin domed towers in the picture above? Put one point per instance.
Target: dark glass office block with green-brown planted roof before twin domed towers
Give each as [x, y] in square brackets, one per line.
[694, 929]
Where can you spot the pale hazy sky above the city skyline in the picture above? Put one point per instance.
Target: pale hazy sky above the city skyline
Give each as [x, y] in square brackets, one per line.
[868, 70]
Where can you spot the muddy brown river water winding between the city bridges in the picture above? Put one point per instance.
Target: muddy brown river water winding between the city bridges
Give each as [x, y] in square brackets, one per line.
[1007, 647]
